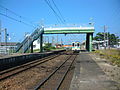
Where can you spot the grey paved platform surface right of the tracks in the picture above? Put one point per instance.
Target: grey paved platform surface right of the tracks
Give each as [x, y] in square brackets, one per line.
[89, 76]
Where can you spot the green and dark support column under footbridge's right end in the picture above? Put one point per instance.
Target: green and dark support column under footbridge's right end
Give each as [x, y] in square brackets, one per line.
[89, 38]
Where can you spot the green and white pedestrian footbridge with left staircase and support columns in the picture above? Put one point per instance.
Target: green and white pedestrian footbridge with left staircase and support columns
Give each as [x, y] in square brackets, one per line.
[38, 33]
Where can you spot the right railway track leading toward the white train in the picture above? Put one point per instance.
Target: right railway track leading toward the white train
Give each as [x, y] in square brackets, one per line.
[54, 80]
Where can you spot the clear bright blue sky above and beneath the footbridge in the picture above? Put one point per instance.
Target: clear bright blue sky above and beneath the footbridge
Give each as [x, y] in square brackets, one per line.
[100, 12]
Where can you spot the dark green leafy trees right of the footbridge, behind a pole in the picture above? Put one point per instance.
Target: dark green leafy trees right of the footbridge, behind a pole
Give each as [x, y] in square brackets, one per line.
[113, 39]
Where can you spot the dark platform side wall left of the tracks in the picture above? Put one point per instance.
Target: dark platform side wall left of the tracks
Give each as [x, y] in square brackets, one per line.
[9, 62]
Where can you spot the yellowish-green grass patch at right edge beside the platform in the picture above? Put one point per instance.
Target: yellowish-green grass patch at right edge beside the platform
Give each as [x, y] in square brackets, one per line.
[113, 55]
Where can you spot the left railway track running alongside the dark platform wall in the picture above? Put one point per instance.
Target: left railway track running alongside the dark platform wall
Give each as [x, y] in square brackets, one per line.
[18, 69]
